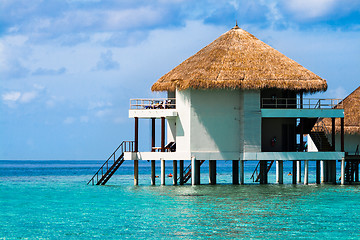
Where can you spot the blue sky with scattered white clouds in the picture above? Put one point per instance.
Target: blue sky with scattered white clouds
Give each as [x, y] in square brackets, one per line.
[69, 68]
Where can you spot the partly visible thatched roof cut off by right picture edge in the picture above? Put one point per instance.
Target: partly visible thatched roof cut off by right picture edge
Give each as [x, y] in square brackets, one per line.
[351, 105]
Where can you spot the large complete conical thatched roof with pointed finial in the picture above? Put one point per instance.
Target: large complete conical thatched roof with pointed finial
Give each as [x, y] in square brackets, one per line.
[238, 60]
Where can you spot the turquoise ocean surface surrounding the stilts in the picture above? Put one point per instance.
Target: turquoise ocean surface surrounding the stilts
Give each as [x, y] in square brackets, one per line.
[50, 200]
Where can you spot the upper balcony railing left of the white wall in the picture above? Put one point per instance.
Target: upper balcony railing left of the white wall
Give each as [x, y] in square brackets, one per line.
[159, 103]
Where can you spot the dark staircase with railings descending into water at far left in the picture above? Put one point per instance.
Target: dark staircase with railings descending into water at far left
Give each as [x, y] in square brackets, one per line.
[107, 170]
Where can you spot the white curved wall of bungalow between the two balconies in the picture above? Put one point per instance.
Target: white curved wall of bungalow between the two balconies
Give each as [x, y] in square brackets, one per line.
[218, 124]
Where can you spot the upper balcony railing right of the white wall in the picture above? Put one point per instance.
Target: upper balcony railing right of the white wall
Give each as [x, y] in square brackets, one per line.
[307, 103]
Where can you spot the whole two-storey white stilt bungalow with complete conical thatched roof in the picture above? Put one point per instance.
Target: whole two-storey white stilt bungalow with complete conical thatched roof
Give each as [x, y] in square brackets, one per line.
[236, 99]
